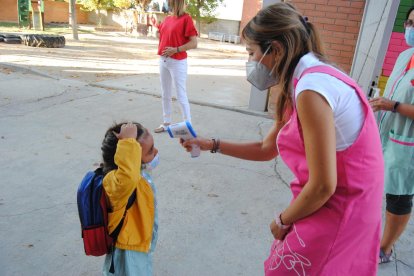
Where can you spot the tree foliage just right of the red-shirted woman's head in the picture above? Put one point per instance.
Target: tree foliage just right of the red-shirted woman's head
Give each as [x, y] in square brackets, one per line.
[203, 10]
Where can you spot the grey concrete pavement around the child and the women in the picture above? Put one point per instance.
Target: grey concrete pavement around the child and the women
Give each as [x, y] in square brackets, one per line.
[214, 210]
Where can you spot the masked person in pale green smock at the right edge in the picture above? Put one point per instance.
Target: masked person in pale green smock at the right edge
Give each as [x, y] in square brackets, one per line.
[396, 123]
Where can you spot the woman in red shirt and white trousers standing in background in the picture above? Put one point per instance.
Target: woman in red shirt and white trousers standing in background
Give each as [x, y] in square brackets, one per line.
[177, 35]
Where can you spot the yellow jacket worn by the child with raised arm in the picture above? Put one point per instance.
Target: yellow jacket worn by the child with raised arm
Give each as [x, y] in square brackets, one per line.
[136, 233]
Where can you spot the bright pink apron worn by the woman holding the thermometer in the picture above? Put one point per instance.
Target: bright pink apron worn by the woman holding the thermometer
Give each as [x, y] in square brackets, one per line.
[342, 237]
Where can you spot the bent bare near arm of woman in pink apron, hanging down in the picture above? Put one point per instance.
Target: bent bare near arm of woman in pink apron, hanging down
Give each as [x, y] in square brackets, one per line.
[317, 121]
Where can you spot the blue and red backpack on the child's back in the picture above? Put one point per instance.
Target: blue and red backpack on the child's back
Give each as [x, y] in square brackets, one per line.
[93, 211]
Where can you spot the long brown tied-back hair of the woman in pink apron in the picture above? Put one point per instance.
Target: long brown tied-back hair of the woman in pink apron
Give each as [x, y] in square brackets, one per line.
[281, 22]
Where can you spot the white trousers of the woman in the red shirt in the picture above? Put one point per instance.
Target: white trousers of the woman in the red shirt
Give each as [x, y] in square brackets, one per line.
[173, 75]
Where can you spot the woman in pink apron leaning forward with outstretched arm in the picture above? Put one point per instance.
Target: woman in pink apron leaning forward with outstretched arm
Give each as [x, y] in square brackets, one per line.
[327, 135]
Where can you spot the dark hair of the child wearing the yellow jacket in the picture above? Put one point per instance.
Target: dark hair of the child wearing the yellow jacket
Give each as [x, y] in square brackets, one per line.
[111, 141]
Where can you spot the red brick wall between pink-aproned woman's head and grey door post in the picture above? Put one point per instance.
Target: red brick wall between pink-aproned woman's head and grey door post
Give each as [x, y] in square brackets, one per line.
[338, 22]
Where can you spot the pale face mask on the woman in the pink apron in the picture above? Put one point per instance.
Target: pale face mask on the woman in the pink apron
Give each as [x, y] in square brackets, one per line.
[258, 74]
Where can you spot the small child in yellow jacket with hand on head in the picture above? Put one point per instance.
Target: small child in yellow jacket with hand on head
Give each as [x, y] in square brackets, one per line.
[128, 155]
